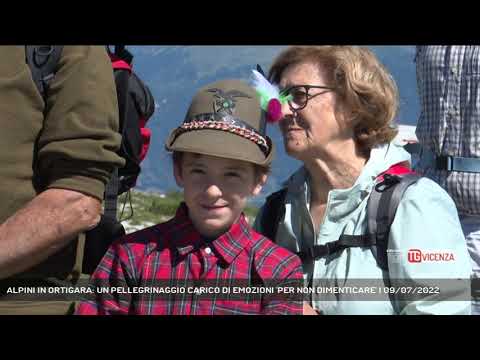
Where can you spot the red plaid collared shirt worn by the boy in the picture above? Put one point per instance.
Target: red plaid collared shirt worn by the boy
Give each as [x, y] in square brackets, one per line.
[174, 252]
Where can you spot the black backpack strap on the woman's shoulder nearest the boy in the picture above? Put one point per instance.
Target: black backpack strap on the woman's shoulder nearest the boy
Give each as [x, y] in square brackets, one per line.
[273, 211]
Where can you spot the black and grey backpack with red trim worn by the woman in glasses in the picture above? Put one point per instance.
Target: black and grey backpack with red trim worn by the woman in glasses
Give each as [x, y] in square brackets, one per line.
[381, 208]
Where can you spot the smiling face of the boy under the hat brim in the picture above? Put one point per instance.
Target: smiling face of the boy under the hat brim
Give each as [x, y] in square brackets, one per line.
[216, 190]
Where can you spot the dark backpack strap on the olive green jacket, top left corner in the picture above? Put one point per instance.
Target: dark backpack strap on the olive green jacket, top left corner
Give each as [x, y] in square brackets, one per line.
[43, 60]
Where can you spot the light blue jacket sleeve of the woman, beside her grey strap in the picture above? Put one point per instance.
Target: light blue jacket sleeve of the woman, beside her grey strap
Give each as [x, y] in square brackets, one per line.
[428, 258]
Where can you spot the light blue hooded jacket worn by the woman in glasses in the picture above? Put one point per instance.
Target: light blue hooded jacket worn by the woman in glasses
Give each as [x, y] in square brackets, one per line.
[426, 220]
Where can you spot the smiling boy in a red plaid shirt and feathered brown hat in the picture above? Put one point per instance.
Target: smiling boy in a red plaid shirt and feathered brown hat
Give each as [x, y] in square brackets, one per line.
[221, 157]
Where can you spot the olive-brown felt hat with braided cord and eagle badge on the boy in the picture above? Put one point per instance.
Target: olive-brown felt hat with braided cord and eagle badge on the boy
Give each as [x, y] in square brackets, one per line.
[225, 120]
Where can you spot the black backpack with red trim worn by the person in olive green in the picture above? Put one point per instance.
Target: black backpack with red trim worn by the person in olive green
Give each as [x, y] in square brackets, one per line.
[136, 107]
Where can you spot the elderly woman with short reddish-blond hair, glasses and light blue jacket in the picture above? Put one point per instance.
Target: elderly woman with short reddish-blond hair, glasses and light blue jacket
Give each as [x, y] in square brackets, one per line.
[338, 121]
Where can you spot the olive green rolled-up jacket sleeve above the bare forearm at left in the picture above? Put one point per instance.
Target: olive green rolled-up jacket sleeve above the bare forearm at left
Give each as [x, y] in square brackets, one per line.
[78, 143]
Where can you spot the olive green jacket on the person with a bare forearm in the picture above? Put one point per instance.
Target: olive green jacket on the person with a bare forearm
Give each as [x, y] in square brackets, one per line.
[69, 142]
